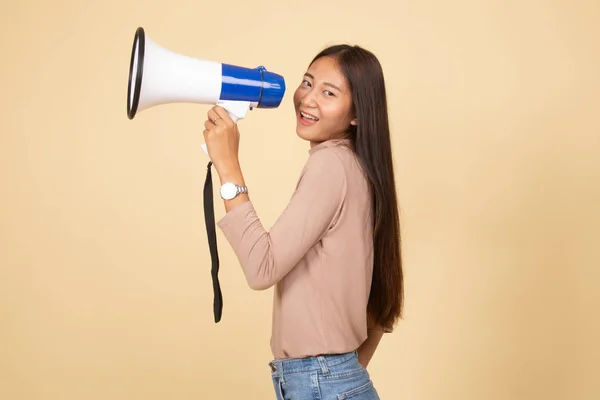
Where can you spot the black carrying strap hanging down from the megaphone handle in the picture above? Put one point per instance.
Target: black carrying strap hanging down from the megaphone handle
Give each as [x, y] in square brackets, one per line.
[209, 219]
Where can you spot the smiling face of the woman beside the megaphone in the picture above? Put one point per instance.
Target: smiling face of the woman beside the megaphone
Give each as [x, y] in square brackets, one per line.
[323, 103]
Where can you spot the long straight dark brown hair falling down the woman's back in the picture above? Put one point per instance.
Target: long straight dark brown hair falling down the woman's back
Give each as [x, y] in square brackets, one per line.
[372, 144]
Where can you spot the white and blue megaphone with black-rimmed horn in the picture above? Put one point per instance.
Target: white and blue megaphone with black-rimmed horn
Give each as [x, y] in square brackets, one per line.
[160, 76]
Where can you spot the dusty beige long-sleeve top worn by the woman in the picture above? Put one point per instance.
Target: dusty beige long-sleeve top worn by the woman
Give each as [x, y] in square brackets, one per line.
[318, 255]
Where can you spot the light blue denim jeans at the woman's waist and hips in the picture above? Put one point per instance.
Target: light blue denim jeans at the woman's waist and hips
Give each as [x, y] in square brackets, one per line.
[325, 377]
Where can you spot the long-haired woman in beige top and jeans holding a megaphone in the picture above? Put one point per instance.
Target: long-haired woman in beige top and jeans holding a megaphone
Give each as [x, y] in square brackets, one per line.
[334, 253]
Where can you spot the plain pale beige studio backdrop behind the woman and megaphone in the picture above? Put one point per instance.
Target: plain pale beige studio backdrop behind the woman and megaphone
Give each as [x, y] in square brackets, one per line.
[105, 289]
